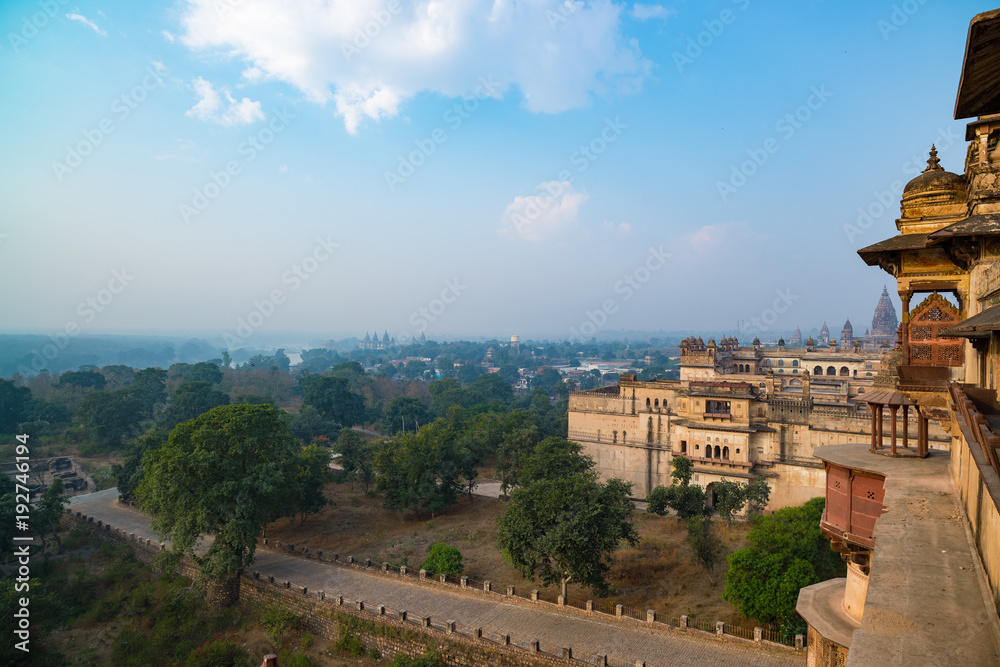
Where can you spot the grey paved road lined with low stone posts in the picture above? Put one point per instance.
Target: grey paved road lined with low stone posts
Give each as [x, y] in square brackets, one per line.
[588, 636]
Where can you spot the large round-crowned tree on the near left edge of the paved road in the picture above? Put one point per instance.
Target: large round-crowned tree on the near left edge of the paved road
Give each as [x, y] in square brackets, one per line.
[222, 475]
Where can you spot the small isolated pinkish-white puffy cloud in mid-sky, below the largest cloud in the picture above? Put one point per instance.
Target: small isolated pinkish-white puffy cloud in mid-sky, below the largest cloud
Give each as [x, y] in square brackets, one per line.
[539, 217]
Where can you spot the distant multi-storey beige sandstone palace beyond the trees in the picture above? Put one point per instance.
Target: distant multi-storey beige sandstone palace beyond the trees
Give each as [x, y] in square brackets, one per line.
[739, 412]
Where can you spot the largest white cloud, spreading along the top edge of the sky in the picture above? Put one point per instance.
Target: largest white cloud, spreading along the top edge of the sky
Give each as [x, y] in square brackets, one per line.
[368, 60]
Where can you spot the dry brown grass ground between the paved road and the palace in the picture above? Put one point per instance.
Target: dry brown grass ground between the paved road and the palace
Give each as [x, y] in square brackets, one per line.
[657, 574]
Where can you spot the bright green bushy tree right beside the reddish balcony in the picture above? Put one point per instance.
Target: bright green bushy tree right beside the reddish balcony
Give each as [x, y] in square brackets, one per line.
[787, 551]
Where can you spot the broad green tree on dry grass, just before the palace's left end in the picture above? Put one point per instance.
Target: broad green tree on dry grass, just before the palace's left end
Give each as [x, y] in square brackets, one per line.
[563, 530]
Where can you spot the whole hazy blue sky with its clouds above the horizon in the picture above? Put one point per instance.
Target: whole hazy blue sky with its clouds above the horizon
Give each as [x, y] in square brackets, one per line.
[462, 168]
